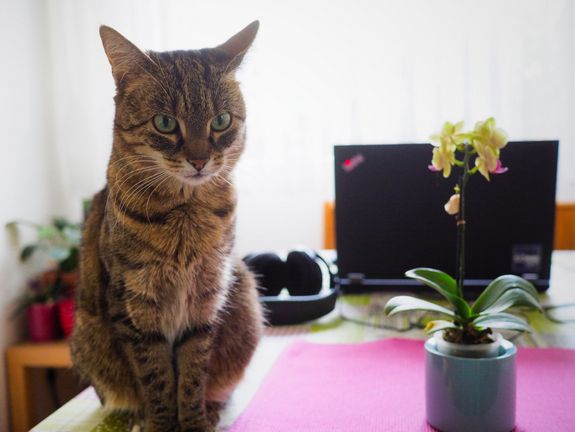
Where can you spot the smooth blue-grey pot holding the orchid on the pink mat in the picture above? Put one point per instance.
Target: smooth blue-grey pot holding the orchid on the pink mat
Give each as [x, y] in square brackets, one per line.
[470, 394]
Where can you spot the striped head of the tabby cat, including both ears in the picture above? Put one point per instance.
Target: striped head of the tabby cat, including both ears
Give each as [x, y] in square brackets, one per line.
[179, 112]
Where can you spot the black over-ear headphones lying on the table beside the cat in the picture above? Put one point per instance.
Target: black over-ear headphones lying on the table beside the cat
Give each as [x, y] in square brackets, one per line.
[302, 275]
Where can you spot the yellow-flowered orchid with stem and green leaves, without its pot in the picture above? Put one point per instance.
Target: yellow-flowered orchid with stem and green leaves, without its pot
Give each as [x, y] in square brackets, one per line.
[471, 152]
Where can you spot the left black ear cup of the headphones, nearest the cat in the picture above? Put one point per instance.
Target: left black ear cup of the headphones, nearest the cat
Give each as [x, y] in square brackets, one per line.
[270, 271]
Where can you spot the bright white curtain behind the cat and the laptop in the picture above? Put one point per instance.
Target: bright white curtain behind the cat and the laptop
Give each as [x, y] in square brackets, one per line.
[323, 73]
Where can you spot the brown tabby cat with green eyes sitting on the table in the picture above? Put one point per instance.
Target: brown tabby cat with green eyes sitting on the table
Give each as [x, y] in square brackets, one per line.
[167, 318]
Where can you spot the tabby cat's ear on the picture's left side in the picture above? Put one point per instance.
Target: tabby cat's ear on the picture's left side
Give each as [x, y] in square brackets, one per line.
[124, 56]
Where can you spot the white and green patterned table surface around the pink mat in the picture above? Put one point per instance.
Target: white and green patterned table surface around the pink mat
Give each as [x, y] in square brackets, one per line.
[84, 413]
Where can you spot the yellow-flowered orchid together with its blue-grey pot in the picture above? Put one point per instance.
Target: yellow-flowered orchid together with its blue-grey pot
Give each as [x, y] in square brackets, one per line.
[470, 369]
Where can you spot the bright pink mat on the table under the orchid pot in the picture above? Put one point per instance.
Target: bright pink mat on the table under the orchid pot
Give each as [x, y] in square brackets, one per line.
[379, 386]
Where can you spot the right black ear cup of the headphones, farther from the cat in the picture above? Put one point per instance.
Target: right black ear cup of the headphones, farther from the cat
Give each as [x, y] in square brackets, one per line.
[304, 276]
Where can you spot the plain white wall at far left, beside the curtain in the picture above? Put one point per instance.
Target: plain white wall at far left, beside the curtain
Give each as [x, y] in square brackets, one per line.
[26, 165]
